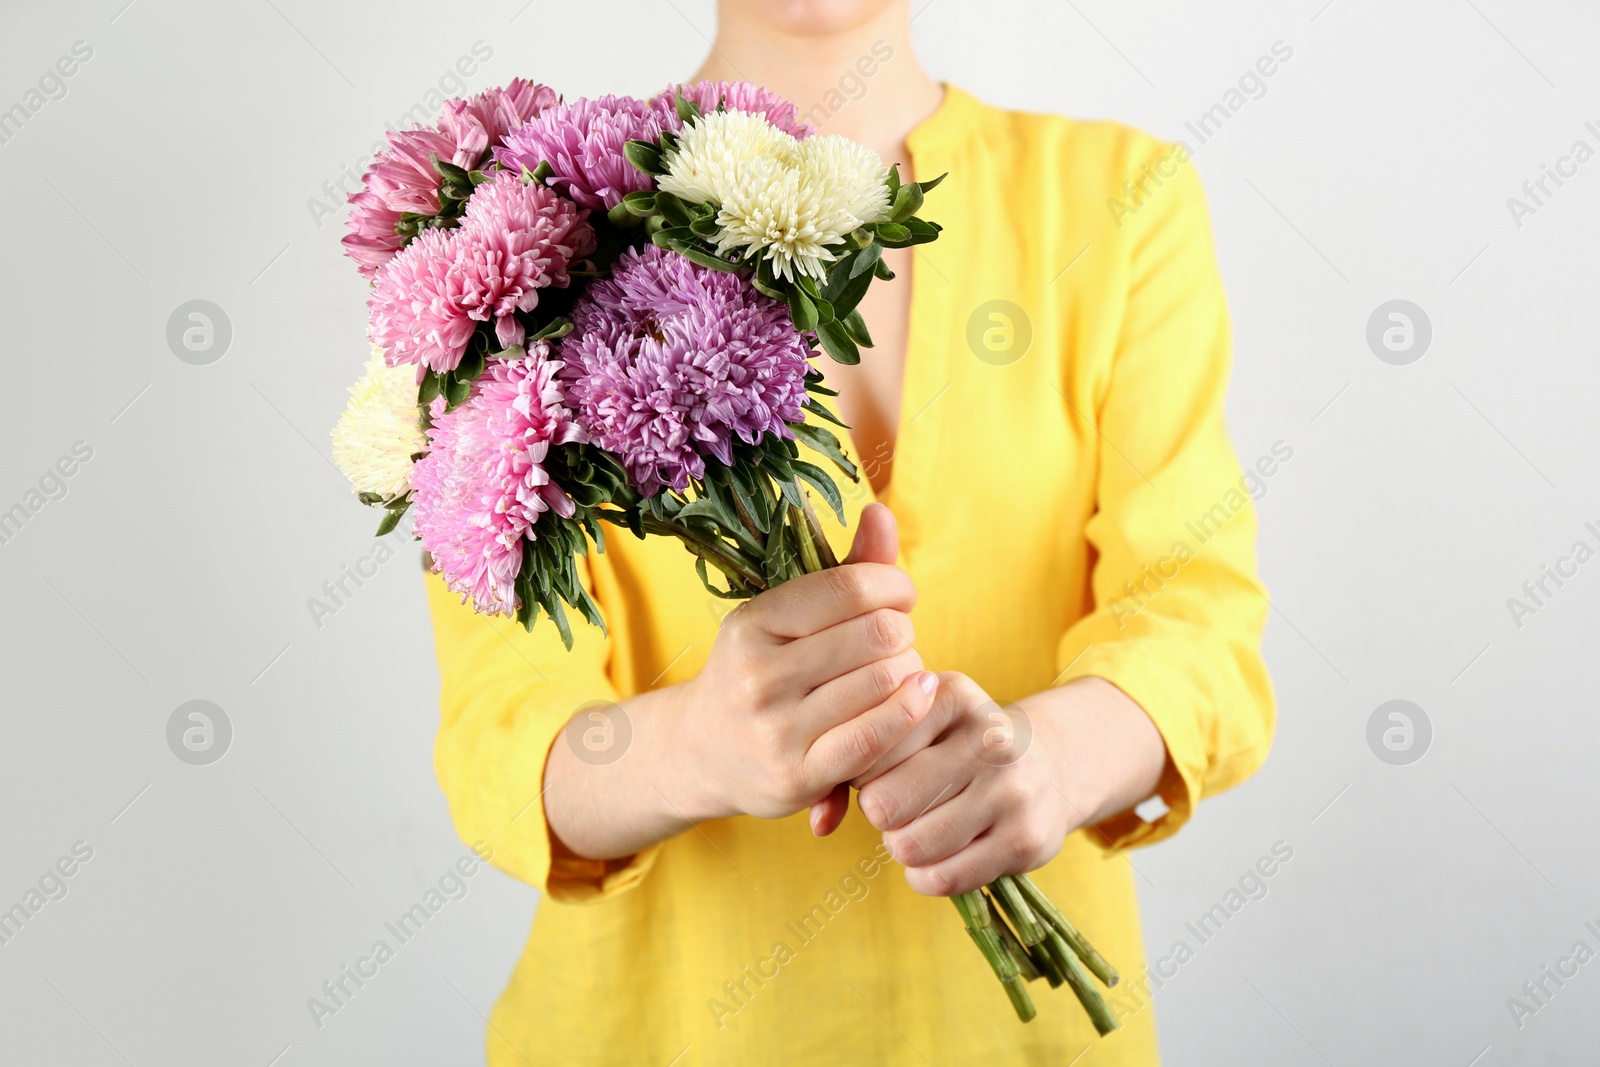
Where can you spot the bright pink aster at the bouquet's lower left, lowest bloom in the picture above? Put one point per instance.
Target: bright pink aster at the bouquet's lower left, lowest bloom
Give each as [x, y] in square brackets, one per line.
[482, 487]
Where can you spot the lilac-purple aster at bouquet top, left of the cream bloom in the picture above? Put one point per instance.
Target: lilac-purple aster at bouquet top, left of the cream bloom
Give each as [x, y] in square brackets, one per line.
[583, 145]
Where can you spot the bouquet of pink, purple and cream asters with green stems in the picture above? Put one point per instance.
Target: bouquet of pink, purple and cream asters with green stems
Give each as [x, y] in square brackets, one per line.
[606, 311]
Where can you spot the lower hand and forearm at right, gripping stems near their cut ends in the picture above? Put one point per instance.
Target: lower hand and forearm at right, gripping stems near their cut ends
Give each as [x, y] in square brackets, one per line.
[978, 791]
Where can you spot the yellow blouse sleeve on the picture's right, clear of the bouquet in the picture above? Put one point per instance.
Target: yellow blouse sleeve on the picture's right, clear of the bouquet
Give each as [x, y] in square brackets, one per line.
[1178, 613]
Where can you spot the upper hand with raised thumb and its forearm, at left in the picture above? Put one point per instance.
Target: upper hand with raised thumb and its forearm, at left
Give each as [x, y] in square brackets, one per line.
[809, 685]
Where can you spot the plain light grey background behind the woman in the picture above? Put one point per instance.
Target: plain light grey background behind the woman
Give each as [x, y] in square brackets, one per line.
[180, 564]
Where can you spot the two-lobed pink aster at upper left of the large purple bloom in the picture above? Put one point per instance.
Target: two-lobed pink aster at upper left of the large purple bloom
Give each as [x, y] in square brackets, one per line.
[514, 241]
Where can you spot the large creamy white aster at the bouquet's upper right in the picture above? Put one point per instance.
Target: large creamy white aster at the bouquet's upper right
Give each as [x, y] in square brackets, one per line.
[786, 198]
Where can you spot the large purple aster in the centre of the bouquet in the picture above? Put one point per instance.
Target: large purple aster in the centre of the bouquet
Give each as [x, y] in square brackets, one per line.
[671, 362]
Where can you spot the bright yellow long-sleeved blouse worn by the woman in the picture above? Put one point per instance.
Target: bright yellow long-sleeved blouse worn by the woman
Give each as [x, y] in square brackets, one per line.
[1070, 505]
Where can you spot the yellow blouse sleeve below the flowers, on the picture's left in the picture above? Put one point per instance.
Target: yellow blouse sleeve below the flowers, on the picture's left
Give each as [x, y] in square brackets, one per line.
[505, 698]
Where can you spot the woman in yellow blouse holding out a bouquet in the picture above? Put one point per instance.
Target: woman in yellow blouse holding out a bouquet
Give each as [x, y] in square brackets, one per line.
[1042, 417]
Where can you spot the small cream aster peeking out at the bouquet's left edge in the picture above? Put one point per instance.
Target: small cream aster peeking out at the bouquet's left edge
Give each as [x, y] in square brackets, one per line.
[380, 430]
